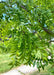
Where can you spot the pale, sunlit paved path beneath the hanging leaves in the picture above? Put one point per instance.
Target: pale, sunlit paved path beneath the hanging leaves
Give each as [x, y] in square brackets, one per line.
[22, 70]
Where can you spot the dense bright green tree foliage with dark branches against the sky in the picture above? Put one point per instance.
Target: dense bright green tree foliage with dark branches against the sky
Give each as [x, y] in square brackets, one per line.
[26, 29]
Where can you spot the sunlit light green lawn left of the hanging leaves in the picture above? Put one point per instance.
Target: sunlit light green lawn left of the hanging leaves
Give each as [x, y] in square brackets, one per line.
[4, 62]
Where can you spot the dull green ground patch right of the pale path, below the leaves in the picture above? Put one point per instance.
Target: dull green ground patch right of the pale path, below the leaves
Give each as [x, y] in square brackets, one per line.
[46, 71]
